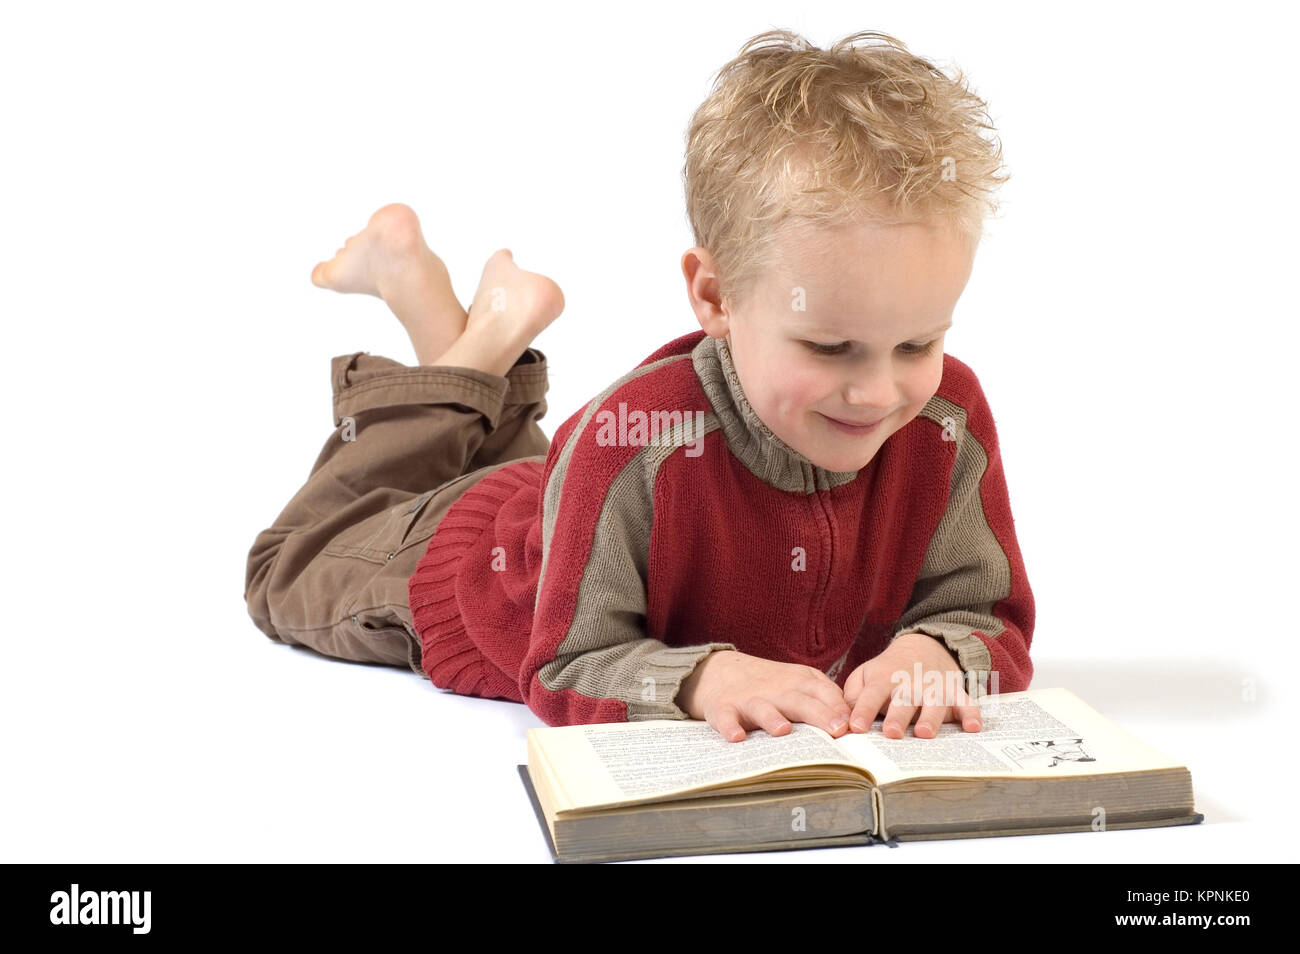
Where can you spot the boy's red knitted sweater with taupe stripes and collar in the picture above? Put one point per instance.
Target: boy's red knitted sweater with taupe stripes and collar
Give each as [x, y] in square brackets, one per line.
[668, 522]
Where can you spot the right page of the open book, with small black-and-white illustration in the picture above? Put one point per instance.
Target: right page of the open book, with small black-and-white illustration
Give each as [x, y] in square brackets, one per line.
[1037, 734]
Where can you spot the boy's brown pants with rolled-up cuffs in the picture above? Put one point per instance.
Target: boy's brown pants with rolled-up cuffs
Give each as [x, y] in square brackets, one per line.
[332, 573]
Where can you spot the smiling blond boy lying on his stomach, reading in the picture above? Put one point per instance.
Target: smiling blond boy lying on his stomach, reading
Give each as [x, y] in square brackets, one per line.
[798, 514]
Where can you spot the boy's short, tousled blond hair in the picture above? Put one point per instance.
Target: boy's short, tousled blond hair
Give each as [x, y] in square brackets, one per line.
[795, 137]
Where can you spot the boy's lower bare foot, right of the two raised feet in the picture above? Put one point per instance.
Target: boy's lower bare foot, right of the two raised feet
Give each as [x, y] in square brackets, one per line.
[510, 310]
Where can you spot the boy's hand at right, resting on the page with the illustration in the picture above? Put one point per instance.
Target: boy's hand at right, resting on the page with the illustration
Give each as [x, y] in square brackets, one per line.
[873, 686]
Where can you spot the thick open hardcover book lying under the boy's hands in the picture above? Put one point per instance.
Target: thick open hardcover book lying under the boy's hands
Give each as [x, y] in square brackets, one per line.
[1043, 762]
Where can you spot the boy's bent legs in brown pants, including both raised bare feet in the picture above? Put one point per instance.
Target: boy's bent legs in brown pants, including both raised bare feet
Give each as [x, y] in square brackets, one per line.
[332, 571]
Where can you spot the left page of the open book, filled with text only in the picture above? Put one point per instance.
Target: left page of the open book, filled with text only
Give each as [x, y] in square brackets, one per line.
[613, 764]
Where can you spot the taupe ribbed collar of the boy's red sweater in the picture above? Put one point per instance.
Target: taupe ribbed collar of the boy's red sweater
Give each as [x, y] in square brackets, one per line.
[755, 445]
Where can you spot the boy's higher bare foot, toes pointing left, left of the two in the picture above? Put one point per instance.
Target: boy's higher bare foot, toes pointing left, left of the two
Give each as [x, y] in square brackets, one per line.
[391, 261]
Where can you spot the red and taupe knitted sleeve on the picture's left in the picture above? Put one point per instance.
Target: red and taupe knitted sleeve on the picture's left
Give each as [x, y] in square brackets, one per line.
[590, 658]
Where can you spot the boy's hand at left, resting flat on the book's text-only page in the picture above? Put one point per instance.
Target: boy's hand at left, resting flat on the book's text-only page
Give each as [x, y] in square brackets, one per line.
[735, 692]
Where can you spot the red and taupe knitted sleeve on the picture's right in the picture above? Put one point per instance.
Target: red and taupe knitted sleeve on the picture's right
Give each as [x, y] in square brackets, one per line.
[972, 592]
